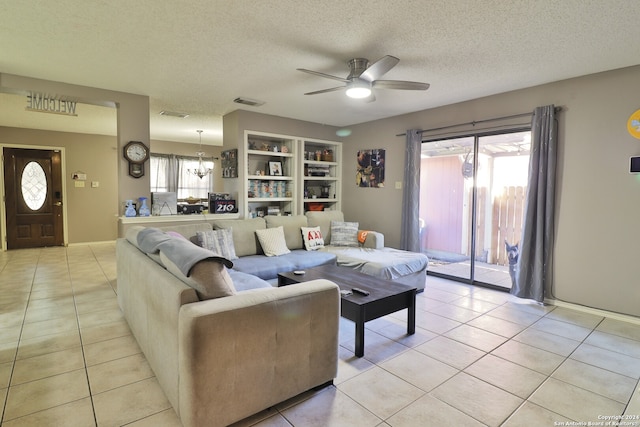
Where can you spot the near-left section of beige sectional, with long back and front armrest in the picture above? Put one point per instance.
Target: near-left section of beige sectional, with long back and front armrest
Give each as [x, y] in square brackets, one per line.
[223, 359]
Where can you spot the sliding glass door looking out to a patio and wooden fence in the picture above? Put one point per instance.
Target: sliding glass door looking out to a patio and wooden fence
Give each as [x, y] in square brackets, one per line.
[471, 205]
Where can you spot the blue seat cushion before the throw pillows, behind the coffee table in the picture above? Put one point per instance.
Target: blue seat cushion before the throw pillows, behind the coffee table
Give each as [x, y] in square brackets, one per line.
[267, 268]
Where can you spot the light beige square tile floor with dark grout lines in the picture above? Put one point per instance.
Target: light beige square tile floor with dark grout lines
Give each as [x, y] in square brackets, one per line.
[479, 357]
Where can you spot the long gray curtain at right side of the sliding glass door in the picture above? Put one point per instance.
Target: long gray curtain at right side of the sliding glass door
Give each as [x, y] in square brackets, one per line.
[533, 270]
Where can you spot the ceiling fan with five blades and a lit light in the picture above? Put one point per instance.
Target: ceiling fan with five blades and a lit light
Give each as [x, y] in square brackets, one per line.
[364, 77]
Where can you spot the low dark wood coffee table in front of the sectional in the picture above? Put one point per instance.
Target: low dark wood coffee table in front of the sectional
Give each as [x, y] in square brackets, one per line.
[385, 297]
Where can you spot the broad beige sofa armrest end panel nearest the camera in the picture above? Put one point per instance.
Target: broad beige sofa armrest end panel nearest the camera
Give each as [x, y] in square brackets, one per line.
[239, 355]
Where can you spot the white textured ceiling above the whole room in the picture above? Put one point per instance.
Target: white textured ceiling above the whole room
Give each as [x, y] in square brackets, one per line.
[196, 57]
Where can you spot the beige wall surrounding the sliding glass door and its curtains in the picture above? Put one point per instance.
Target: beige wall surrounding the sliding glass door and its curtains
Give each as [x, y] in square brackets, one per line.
[597, 233]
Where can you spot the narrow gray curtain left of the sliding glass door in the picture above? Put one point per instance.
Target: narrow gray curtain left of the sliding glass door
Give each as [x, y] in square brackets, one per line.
[410, 229]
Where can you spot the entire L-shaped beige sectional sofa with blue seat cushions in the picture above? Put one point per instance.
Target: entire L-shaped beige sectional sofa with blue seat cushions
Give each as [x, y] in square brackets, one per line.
[201, 324]
